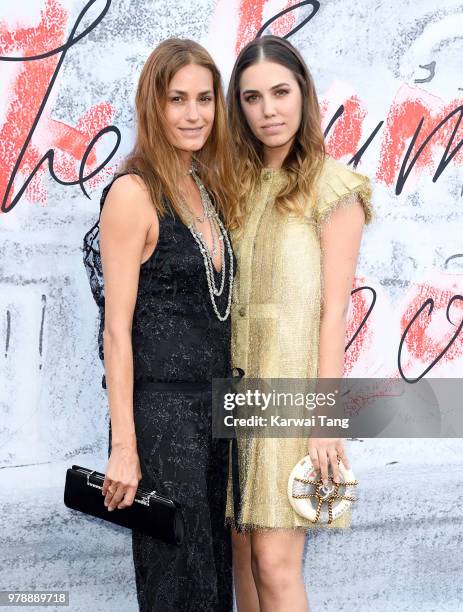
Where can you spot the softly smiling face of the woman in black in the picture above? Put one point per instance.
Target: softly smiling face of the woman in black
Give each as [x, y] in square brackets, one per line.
[190, 108]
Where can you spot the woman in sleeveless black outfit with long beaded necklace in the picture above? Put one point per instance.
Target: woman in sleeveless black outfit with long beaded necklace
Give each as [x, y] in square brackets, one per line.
[168, 271]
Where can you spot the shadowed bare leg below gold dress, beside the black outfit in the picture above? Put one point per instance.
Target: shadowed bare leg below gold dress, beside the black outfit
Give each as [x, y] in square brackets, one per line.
[245, 588]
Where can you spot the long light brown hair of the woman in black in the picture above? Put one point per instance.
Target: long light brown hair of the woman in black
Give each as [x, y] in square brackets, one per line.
[155, 159]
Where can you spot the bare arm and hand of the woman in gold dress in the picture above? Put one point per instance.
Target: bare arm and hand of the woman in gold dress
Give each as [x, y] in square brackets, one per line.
[340, 239]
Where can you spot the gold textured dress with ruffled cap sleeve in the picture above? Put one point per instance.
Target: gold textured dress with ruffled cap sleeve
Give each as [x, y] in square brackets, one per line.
[275, 328]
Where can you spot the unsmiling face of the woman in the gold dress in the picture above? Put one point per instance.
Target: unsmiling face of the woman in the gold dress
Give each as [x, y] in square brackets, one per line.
[272, 104]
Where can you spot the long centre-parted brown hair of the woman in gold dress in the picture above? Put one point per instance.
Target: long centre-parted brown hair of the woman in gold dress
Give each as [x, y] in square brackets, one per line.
[305, 159]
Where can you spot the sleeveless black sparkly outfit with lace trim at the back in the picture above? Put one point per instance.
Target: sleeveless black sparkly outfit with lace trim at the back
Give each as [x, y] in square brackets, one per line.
[179, 345]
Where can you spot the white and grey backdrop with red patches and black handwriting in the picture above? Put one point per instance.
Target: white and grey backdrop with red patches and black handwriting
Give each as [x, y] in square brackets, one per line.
[380, 68]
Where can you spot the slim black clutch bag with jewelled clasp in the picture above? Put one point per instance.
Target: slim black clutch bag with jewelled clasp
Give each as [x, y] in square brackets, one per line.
[151, 513]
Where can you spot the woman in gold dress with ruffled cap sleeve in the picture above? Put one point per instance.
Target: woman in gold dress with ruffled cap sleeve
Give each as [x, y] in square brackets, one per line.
[297, 245]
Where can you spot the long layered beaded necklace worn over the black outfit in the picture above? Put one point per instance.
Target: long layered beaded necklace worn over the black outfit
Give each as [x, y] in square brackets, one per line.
[216, 227]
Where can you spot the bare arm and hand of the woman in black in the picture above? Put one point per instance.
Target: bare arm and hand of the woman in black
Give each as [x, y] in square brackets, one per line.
[125, 222]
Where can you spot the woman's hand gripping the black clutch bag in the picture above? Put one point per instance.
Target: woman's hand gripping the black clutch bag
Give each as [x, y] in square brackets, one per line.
[122, 476]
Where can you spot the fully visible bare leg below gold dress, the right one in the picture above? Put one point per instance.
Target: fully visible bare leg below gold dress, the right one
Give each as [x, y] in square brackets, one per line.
[276, 561]
